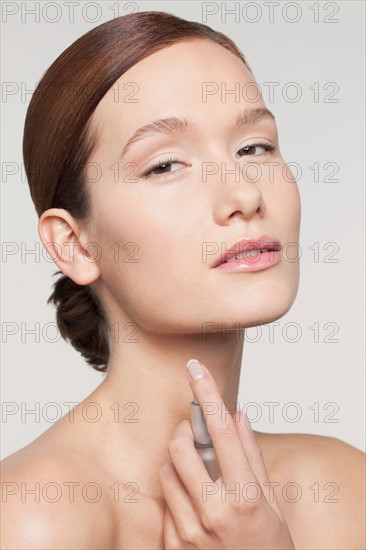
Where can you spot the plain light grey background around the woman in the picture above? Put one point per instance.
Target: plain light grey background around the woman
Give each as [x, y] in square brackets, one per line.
[315, 381]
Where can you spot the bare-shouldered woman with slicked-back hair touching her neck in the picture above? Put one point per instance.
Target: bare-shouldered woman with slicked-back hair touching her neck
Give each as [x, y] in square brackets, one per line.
[135, 158]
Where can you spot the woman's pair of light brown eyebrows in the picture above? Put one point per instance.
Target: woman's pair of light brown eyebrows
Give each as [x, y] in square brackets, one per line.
[175, 125]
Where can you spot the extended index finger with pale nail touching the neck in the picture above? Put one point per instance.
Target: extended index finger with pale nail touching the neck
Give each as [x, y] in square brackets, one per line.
[228, 447]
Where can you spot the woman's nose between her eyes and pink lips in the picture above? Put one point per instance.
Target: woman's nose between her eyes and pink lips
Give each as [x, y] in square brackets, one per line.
[236, 195]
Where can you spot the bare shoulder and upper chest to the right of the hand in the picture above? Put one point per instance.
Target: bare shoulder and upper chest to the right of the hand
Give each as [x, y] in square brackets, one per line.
[320, 484]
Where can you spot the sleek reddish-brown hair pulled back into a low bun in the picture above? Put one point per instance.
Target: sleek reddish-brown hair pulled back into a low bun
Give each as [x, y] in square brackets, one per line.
[58, 143]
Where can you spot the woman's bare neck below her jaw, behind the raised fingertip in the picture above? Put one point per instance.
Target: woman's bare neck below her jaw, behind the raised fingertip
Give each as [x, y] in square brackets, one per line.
[146, 394]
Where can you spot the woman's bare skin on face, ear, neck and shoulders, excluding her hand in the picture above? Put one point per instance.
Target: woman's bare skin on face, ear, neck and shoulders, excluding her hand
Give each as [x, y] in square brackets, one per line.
[170, 217]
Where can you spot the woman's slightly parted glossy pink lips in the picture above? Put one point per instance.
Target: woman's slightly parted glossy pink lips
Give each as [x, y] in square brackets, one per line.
[249, 251]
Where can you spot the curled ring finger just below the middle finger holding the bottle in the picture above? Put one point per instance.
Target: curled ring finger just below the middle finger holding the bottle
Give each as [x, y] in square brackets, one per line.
[178, 501]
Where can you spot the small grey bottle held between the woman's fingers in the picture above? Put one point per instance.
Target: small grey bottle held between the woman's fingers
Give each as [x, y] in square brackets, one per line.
[203, 442]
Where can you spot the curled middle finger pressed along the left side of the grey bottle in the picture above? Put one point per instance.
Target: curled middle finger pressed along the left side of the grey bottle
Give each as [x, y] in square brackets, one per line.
[189, 465]
